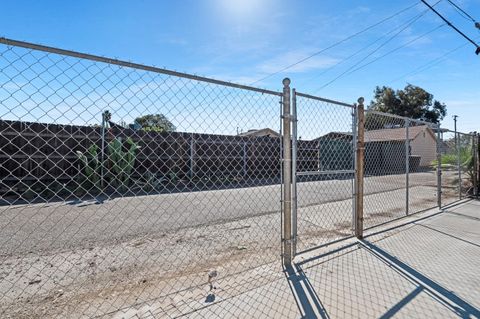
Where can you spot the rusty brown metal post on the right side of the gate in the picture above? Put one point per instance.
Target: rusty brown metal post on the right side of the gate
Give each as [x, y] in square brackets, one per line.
[359, 169]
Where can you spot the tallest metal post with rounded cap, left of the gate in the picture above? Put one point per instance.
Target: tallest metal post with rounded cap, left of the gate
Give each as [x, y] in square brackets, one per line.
[287, 176]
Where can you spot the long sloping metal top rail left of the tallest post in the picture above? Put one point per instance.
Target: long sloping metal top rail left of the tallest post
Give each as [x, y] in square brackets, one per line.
[86, 56]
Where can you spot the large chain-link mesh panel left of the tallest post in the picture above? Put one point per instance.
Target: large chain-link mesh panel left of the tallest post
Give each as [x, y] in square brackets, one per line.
[124, 188]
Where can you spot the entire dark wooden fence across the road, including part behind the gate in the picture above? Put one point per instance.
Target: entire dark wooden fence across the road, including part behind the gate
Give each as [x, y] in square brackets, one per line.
[40, 158]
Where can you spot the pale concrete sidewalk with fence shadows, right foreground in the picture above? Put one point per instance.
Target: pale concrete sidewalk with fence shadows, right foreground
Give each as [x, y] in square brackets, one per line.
[422, 266]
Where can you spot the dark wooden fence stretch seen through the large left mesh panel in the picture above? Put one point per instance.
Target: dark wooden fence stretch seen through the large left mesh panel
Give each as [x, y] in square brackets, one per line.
[37, 154]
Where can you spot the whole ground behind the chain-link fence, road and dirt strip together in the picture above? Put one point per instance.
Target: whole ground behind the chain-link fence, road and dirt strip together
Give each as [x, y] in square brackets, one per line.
[80, 259]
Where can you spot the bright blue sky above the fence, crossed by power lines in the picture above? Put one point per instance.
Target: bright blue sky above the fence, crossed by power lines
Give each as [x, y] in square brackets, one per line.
[245, 40]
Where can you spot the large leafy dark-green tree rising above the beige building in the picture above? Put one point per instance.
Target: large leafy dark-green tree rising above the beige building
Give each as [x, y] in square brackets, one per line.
[412, 101]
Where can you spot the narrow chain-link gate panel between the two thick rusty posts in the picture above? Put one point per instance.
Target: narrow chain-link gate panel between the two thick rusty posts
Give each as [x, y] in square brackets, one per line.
[323, 140]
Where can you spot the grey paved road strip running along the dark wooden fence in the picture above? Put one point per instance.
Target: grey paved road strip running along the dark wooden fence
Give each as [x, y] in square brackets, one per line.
[44, 227]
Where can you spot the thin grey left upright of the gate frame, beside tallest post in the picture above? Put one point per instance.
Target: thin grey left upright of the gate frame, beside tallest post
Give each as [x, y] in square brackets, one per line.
[294, 173]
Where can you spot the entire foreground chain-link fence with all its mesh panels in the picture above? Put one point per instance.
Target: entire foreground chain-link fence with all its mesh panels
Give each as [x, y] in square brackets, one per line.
[128, 189]
